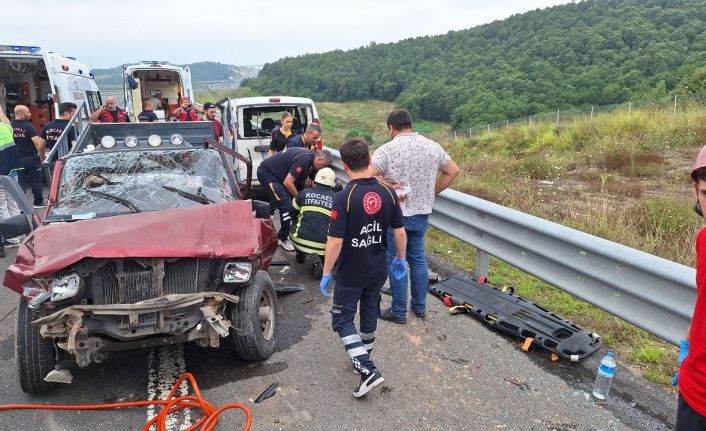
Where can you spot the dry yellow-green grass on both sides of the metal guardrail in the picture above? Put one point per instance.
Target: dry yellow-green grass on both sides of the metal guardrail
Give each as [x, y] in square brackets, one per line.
[622, 176]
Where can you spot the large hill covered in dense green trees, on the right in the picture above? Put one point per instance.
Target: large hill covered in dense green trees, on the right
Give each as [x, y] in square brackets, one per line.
[587, 53]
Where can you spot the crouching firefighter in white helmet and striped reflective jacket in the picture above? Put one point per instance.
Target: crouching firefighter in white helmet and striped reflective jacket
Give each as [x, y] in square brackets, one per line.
[313, 206]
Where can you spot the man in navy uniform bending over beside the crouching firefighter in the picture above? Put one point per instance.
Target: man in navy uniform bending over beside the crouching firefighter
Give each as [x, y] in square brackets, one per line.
[280, 174]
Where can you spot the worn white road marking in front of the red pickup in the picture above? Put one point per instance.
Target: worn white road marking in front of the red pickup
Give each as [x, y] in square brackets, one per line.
[164, 366]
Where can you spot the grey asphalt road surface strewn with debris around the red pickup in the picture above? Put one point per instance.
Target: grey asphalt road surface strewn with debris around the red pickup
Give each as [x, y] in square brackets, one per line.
[442, 373]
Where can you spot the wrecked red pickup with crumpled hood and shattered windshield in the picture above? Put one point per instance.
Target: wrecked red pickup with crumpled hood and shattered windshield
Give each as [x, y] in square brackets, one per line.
[146, 240]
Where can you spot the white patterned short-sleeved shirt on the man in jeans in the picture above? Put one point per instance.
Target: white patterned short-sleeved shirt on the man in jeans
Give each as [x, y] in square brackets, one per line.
[412, 159]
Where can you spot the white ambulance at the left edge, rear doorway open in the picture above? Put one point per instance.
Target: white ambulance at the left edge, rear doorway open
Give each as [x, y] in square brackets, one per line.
[41, 80]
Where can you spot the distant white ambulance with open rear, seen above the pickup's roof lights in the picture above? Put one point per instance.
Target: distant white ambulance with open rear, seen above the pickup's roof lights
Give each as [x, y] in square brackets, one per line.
[158, 80]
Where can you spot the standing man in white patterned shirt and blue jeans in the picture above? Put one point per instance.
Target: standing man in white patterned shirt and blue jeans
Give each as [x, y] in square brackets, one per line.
[410, 164]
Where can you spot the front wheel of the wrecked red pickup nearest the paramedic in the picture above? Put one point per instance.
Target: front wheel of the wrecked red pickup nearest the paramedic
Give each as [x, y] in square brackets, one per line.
[255, 339]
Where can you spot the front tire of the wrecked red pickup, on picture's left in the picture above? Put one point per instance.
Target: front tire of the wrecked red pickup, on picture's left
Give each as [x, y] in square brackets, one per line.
[35, 355]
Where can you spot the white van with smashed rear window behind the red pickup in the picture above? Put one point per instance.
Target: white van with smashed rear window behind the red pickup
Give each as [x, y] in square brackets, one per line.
[252, 120]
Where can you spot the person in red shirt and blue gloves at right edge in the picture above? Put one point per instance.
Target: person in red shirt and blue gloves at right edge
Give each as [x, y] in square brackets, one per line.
[691, 412]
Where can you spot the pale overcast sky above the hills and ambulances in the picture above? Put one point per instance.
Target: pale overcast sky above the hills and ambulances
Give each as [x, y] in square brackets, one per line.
[107, 34]
